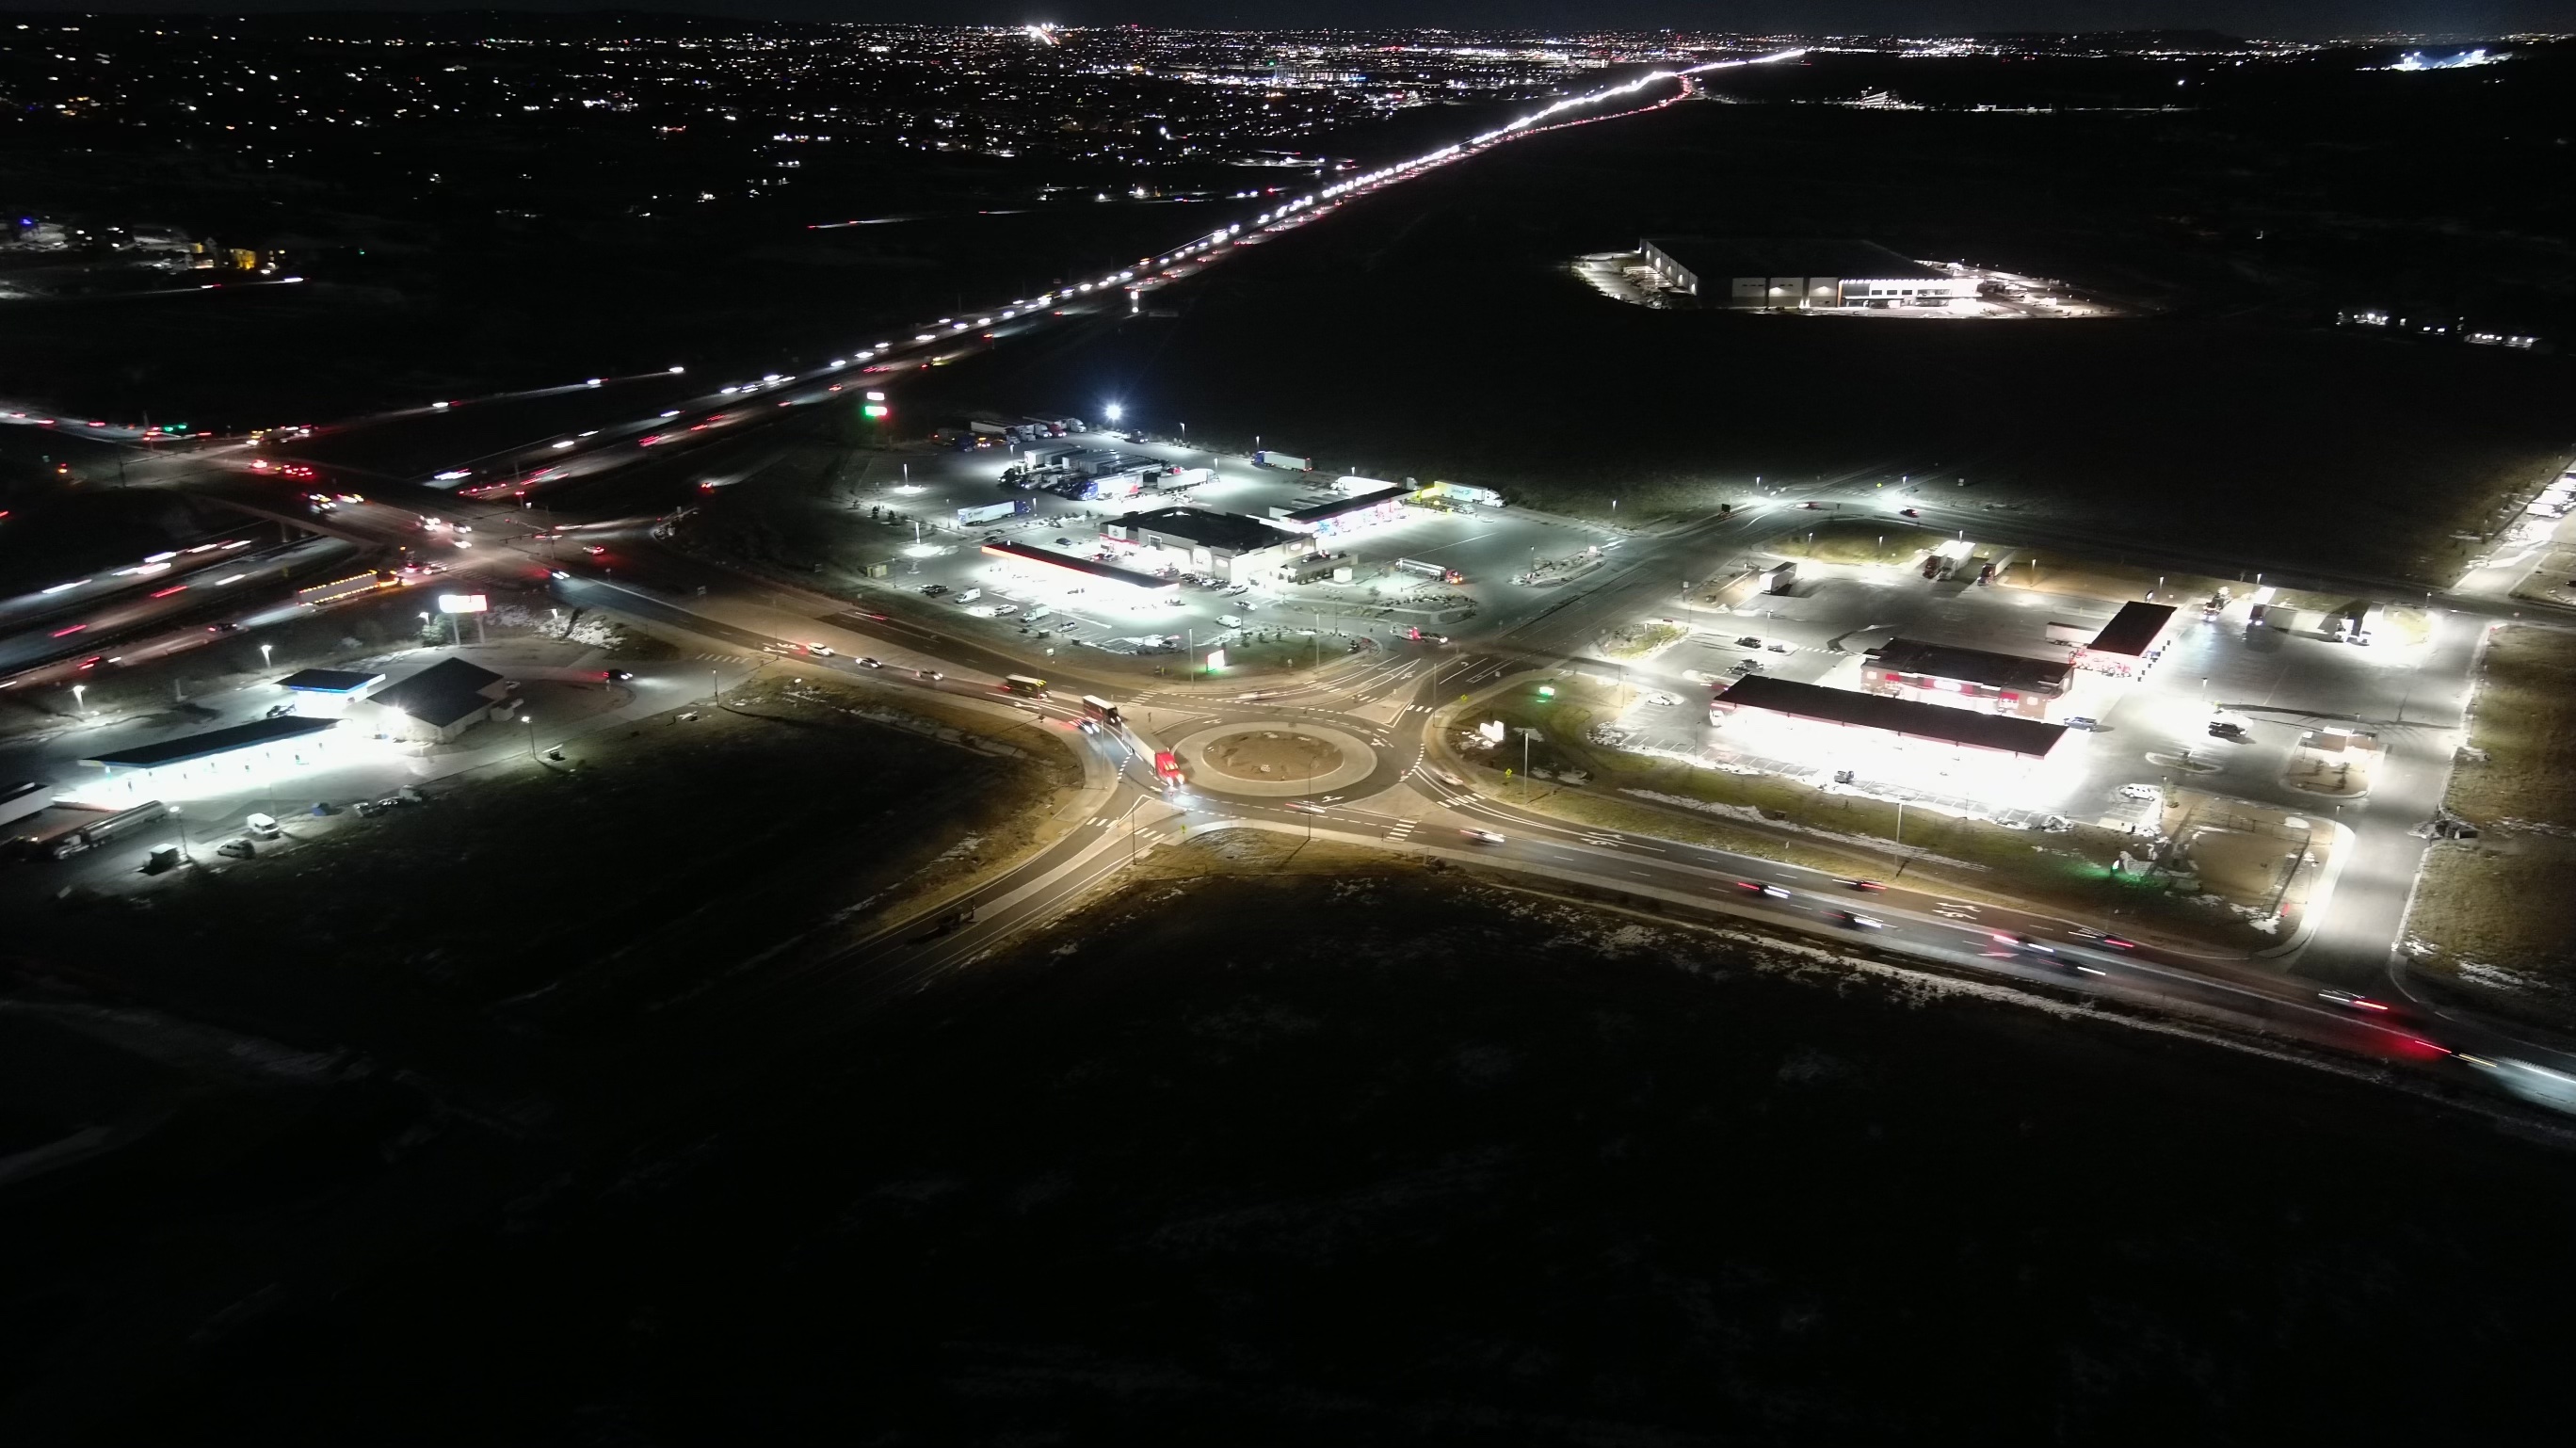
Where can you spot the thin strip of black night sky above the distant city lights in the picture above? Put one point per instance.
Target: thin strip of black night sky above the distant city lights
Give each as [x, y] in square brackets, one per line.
[1810, 17]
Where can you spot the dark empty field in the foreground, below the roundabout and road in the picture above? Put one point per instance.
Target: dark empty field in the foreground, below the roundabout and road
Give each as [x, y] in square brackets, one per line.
[1444, 1163]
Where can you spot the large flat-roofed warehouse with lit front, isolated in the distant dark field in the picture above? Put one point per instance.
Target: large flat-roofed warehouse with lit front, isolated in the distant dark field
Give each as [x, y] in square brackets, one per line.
[1799, 277]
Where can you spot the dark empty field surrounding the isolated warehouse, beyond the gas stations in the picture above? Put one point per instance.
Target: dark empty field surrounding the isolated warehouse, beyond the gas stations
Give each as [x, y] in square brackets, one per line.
[1434, 331]
